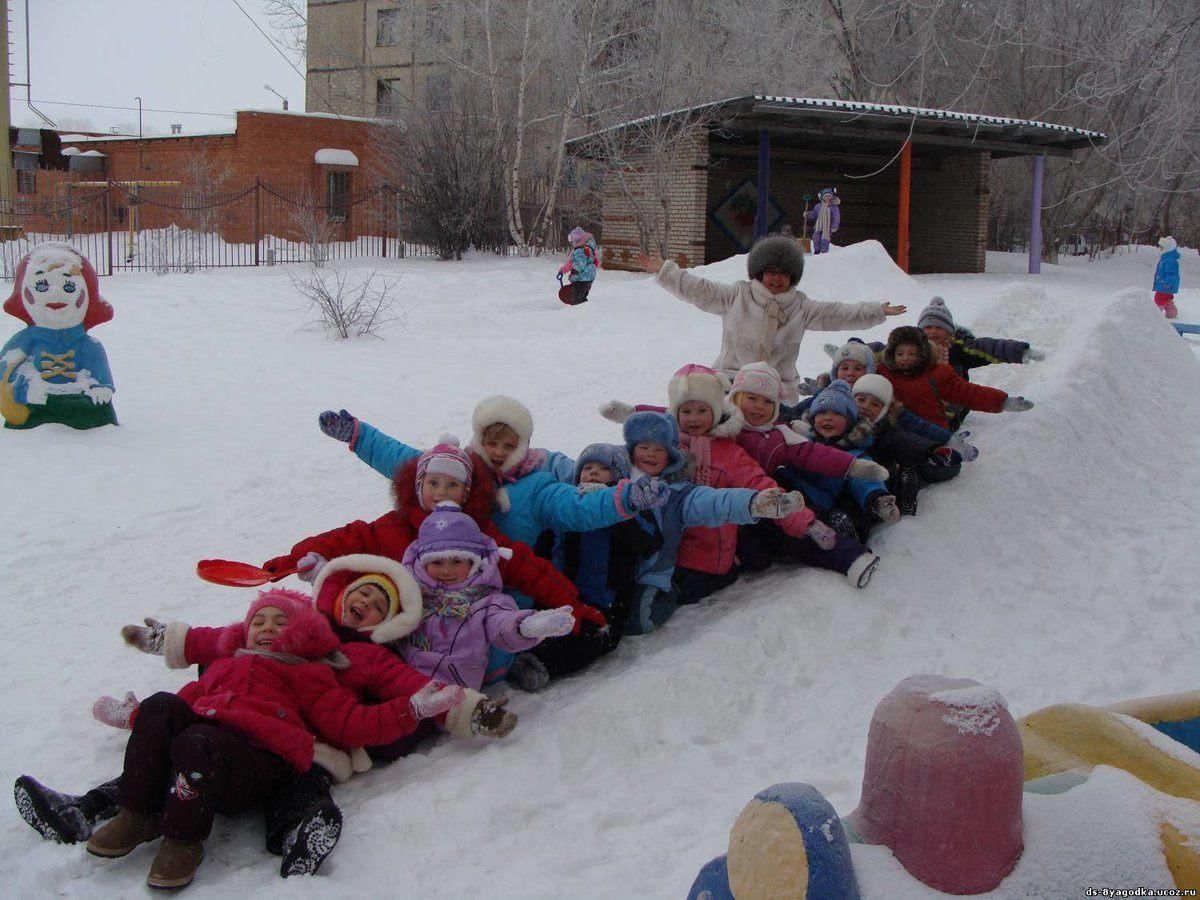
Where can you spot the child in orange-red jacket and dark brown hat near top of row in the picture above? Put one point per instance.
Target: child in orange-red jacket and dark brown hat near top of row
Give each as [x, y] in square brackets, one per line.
[928, 388]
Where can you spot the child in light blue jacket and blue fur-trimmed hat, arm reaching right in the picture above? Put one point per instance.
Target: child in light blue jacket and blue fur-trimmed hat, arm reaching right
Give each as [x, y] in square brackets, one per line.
[652, 441]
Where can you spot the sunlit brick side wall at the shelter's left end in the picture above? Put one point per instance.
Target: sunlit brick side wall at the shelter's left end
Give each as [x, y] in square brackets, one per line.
[631, 212]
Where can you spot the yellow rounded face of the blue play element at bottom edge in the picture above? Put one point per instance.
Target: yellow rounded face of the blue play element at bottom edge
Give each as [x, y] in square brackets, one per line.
[767, 859]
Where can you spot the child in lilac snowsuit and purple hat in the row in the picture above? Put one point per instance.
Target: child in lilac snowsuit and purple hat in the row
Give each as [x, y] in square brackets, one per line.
[466, 614]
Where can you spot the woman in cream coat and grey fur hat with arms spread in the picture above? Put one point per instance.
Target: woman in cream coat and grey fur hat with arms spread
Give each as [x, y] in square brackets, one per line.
[766, 317]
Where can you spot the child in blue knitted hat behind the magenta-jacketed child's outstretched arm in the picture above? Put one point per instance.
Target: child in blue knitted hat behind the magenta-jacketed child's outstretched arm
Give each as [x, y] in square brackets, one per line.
[850, 506]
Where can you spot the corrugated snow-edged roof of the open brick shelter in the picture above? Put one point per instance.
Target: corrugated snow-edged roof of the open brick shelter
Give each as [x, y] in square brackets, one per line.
[874, 127]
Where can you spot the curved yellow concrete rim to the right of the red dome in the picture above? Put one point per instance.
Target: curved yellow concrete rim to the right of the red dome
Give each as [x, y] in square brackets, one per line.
[1073, 737]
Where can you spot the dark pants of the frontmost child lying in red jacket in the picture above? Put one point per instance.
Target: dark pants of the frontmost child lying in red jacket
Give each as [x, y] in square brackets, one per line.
[187, 770]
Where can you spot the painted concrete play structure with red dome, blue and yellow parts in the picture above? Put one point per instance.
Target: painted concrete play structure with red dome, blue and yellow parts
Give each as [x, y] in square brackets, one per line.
[949, 775]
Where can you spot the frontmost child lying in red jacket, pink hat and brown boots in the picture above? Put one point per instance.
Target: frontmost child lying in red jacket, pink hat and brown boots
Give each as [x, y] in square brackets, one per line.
[227, 741]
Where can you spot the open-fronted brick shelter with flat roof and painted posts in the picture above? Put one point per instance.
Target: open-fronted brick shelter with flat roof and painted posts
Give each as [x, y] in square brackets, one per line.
[928, 205]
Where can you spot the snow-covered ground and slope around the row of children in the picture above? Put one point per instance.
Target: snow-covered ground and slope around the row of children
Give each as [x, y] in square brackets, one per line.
[1061, 567]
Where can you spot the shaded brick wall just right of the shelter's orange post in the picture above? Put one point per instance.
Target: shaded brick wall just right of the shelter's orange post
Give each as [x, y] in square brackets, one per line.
[949, 221]
